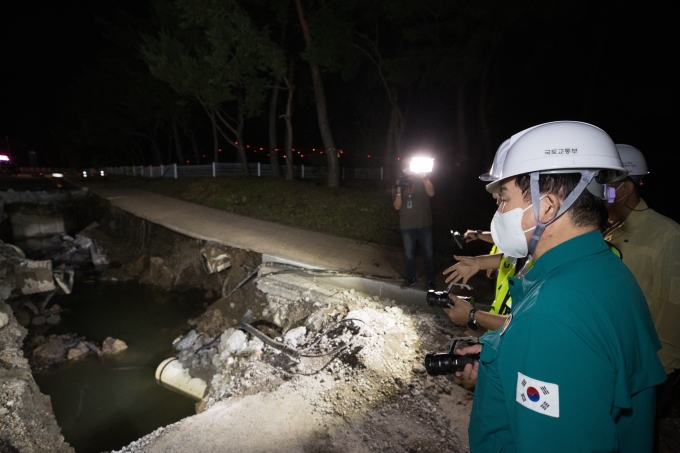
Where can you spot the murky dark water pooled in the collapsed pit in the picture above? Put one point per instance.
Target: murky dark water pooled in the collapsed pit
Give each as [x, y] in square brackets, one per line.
[103, 404]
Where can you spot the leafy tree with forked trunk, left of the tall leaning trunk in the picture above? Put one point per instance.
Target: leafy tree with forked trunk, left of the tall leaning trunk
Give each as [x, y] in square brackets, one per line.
[212, 52]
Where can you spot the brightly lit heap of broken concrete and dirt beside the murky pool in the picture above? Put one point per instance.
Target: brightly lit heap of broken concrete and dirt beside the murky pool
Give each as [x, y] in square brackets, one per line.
[357, 385]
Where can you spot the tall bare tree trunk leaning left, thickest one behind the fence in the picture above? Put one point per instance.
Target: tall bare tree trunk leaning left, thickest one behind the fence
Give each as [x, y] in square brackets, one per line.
[321, 108]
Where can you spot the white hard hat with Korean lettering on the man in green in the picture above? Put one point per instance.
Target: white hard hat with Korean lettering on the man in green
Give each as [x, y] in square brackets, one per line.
[559, 147]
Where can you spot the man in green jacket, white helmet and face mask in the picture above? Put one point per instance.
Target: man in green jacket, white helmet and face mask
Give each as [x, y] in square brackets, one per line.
[574, 366]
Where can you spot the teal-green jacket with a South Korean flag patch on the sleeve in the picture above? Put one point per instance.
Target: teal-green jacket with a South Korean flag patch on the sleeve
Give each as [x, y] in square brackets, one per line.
[574, 367]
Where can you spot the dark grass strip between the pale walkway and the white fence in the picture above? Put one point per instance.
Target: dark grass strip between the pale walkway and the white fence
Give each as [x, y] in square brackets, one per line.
[360, 210]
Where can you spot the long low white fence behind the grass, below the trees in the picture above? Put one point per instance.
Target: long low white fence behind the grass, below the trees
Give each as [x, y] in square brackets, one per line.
[223, 169]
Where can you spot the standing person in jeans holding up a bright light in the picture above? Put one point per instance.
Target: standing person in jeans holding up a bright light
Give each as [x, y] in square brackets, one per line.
[411, 197]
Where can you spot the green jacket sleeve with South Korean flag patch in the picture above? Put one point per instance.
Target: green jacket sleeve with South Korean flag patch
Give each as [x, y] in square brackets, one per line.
[558, 387]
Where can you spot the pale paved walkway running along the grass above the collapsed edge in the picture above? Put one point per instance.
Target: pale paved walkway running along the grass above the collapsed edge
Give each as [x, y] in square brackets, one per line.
[302, 247]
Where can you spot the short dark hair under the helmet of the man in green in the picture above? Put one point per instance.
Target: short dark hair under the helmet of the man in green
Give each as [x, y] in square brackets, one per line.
[586, 211]
